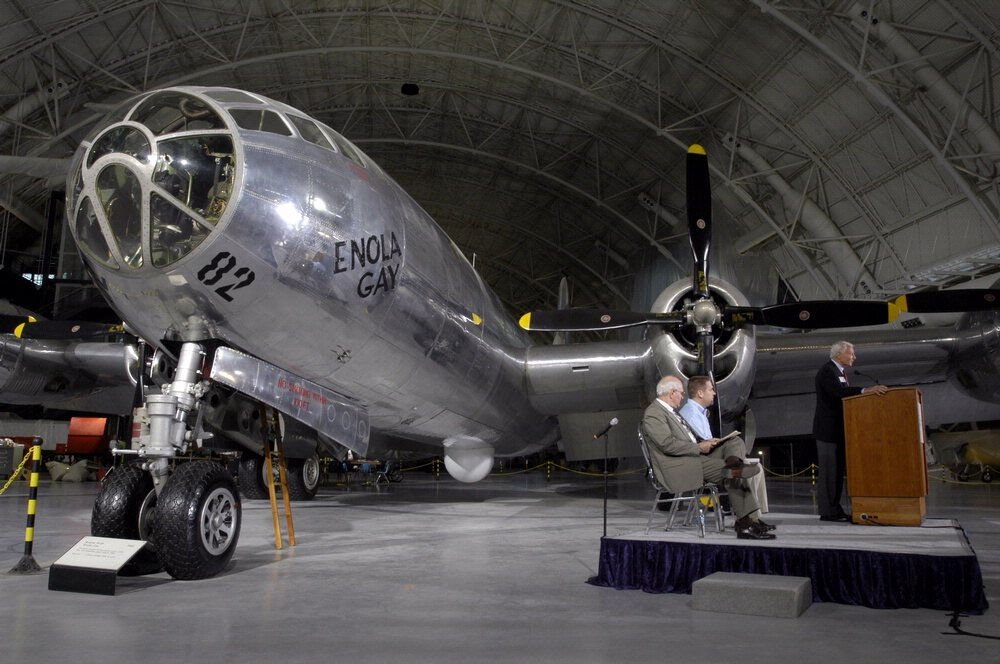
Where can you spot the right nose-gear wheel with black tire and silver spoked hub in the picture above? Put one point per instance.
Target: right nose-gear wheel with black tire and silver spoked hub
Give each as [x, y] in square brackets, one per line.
[197, 520]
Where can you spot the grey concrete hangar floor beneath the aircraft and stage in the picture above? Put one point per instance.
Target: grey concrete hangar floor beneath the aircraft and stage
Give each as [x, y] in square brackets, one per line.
[437, 571]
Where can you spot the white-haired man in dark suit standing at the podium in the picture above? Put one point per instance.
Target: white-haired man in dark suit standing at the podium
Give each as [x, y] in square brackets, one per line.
[832, 385]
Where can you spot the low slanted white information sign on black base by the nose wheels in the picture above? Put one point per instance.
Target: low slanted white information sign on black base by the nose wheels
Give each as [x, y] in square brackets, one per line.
[92, 564]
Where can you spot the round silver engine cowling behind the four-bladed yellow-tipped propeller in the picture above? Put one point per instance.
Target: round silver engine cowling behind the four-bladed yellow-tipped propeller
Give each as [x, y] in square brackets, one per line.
[675, 351]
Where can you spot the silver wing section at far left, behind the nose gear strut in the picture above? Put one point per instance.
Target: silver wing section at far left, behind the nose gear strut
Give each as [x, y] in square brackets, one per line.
[97, 377]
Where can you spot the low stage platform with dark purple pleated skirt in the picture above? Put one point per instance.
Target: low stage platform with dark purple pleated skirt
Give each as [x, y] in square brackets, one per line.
[932, 566]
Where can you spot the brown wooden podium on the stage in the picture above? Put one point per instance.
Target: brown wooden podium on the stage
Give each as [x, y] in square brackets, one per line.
[886, 467]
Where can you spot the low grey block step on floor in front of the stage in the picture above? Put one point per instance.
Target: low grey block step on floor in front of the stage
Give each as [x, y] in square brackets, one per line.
[753, 594]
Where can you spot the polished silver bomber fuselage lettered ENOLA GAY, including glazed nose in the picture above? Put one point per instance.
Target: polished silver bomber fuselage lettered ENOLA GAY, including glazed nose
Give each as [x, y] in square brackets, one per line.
[212, 214]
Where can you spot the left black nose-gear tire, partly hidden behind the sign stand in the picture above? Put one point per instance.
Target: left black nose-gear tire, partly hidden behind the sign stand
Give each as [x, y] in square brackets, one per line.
[123, 510]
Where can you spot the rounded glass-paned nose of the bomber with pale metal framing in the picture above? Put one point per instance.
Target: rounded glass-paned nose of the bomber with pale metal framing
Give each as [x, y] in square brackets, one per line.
[154, 181]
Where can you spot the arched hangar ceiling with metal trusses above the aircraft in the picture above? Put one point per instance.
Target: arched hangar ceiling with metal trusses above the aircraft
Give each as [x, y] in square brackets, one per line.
[853, 144]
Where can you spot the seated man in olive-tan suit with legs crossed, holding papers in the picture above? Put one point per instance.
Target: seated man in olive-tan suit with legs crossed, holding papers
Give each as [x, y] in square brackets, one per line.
[683, 462]
